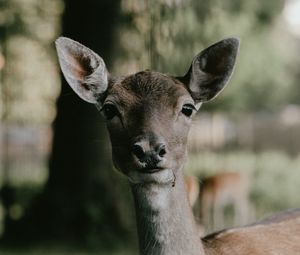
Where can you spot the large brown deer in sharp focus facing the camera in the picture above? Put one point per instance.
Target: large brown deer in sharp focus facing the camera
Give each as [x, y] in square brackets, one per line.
[148, 116]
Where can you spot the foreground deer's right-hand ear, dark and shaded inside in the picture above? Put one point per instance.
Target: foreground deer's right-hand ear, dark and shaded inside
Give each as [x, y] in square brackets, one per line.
[211, 70]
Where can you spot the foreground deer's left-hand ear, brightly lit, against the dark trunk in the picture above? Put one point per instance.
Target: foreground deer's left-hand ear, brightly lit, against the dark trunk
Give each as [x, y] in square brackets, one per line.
[84, 70]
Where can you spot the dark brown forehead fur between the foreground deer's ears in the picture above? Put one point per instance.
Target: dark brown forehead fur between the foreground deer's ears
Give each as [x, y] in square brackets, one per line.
[147, 85]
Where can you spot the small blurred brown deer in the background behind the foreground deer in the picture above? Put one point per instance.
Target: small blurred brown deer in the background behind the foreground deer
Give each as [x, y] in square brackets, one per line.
[210, 197]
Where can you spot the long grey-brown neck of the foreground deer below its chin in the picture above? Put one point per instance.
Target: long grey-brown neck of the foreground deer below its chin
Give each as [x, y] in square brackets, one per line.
[164, 219]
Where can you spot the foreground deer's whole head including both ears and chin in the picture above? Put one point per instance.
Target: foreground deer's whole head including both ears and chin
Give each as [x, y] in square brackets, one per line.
[148, 113]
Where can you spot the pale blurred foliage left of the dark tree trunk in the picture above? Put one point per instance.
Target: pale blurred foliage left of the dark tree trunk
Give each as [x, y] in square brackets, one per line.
[30, 76]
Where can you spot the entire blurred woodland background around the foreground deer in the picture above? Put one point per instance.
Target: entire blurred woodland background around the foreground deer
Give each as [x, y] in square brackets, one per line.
[59, 193]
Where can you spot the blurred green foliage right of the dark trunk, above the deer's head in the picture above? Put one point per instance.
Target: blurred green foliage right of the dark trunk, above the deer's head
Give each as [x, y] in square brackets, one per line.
[165, 35]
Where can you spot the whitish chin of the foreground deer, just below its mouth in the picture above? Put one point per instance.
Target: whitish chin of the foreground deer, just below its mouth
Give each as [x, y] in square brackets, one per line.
[165, 176]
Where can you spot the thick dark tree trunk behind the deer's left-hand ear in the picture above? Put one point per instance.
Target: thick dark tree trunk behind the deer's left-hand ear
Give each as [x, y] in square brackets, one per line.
[79, 201]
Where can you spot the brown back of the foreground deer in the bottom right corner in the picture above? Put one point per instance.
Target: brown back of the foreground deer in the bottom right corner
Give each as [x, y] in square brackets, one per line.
[276, 235]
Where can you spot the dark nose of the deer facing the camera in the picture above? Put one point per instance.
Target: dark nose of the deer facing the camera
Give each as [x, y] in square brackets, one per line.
[151, 155]
